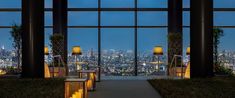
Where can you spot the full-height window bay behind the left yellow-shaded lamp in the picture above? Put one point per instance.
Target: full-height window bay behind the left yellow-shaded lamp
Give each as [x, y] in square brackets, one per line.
[83, 31]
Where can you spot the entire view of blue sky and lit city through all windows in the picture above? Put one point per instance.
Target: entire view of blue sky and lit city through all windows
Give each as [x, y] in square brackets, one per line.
[117, 44]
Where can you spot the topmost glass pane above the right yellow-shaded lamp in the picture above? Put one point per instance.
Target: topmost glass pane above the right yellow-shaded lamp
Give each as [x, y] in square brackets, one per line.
[152, 3]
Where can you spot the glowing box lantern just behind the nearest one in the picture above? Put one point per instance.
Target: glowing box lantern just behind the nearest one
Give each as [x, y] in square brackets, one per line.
[91, 78]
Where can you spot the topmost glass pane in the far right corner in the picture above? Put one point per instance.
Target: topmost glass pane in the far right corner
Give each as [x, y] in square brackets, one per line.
[224, 3]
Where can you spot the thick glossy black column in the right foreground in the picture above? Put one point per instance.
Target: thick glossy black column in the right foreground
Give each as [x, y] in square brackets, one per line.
[201, 38]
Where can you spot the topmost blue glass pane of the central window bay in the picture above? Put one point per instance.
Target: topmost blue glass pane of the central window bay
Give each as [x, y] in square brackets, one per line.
[117, 4]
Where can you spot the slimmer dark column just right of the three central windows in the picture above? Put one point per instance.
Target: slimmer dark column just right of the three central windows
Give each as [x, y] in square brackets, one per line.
[175, 39]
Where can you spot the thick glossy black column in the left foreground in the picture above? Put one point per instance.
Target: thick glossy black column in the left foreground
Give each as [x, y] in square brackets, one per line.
[33, 38]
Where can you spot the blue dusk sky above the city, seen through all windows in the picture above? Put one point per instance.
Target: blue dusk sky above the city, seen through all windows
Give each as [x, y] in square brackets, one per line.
[120, 39]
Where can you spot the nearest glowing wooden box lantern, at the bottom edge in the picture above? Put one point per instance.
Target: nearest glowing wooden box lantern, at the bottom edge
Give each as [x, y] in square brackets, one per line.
[76, 88]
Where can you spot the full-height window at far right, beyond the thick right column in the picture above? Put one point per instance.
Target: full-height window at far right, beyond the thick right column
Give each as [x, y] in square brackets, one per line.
[224, 19]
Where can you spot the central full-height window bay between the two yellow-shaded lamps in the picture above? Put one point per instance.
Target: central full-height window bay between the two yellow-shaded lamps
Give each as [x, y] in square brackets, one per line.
[117, 39]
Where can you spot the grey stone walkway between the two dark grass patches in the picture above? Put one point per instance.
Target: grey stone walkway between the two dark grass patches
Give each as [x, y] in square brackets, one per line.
[124, 89]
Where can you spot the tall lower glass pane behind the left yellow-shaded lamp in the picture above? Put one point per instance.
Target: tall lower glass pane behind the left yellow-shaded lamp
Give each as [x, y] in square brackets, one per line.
[87, 39]
